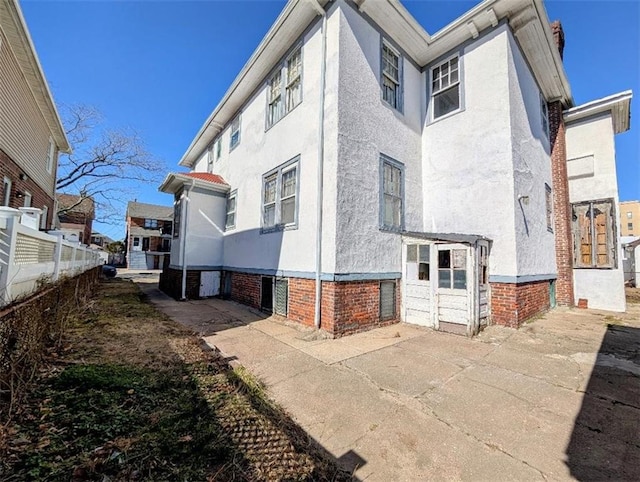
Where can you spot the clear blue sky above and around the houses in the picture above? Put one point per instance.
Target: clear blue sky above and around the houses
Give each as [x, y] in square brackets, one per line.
[160, 67]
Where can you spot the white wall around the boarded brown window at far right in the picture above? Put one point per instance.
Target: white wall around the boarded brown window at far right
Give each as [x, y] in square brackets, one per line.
[594, 139]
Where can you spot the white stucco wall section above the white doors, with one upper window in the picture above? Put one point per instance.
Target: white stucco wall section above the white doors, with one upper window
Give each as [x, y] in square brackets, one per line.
[468, 180]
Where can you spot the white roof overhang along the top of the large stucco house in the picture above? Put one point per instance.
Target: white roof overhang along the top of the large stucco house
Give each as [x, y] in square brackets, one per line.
[527, 19]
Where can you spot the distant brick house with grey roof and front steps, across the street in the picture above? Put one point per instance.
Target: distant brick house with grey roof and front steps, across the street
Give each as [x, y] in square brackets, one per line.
[148, 238]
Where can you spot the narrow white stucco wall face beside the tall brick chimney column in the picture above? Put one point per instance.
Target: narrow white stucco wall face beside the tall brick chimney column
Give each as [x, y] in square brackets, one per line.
[535, 246]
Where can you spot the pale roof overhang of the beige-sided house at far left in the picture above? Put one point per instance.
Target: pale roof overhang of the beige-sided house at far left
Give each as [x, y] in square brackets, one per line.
[15, 29]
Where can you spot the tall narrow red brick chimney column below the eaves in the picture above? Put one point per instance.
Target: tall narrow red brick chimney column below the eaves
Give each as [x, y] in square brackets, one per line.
[561, 206]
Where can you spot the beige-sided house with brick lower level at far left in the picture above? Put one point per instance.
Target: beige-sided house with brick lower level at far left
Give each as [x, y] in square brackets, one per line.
[31, 133]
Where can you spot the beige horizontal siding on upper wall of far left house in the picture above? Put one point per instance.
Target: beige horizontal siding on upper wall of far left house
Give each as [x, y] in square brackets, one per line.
[24, 134]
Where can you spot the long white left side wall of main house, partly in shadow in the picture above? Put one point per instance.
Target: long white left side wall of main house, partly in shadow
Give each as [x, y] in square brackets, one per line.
[260, 151]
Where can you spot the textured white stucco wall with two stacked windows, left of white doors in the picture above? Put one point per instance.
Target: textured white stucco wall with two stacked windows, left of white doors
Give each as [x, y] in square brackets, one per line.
[368, 127]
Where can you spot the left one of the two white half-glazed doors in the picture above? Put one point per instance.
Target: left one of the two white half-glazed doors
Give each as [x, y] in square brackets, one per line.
[417, 285]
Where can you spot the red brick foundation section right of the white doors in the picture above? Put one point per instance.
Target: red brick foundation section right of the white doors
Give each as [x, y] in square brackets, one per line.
[512, 304]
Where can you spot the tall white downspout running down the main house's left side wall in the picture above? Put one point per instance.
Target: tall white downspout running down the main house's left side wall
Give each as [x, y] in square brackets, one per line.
[319, 200]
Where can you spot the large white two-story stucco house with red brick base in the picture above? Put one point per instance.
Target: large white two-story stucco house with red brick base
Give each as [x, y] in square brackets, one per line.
[360, 172]
